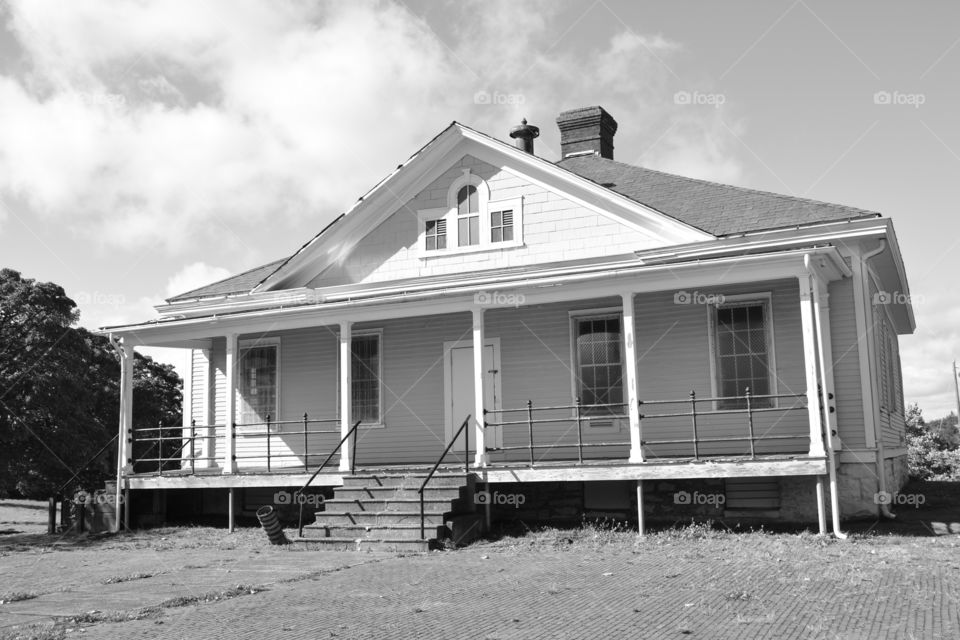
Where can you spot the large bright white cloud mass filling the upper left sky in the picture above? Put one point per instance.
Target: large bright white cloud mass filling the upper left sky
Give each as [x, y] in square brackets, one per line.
[168, 124]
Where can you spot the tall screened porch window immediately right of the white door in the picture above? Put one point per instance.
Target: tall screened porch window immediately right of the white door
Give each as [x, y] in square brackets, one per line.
[599, 362]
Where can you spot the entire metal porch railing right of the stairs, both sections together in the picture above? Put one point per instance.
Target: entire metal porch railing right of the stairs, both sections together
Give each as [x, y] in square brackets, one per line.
[540, 424]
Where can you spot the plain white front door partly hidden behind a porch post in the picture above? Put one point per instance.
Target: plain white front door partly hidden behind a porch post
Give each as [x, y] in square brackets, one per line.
[460, 396]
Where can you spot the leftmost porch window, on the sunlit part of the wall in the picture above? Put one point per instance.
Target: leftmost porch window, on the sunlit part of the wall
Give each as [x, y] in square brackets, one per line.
[259, 381]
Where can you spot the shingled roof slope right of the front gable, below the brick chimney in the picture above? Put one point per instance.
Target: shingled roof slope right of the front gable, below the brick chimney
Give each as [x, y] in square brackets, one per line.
[718, 209]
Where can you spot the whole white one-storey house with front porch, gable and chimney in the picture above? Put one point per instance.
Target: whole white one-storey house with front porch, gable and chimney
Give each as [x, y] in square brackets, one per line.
[587, 336]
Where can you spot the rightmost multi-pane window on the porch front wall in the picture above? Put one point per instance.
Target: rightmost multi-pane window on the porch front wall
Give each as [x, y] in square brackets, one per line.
[742, 351]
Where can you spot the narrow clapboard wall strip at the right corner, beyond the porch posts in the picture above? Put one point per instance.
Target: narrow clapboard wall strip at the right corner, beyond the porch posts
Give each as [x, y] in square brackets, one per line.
[846, 345]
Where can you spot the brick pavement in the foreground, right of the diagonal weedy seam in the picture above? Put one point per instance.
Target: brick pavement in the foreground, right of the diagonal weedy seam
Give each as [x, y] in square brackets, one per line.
[711, 588]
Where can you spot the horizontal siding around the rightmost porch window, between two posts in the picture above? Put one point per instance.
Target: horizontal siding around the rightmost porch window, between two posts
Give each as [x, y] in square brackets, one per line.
[673, 352]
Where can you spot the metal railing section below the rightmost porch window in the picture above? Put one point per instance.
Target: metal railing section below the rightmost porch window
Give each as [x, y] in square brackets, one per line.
[751, 405]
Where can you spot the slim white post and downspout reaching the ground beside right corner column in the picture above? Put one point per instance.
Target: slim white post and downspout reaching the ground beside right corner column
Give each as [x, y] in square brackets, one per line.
[821, 313]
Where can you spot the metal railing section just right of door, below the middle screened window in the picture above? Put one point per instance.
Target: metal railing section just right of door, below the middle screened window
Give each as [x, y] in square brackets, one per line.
[581, 414]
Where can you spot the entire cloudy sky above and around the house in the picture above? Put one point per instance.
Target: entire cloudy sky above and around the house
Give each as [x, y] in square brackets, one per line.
[148, 147]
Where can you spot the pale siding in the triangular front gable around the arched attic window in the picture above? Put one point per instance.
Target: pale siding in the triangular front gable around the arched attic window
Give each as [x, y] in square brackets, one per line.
[554, 228]
